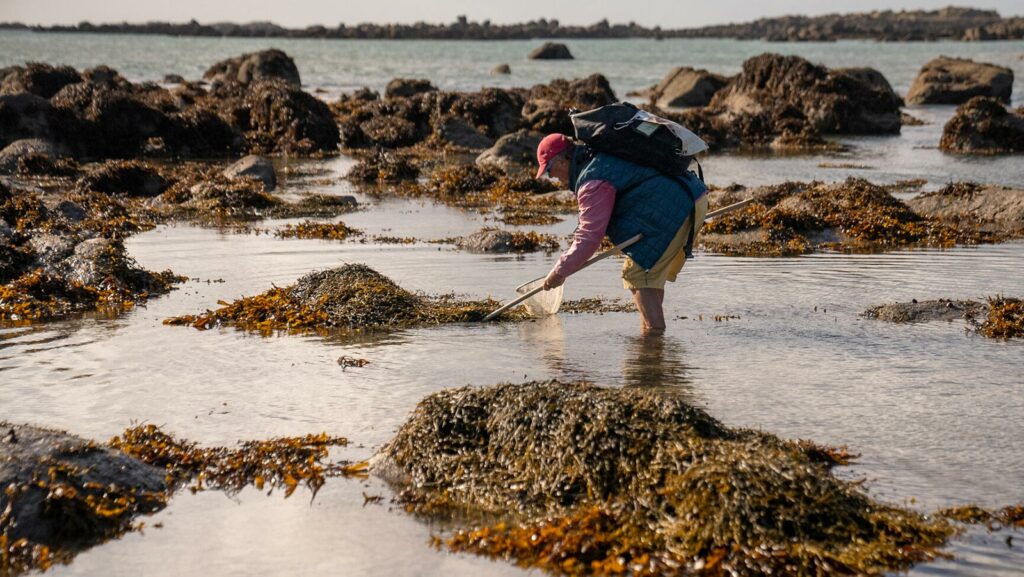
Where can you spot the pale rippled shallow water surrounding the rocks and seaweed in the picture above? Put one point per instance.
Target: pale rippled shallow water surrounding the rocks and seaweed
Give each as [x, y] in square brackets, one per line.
[935, 413]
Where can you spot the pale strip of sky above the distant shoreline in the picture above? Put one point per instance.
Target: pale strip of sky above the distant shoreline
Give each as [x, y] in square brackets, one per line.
[667, 14]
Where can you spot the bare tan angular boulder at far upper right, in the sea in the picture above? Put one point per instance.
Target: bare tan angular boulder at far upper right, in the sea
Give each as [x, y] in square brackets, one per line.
[955, 81]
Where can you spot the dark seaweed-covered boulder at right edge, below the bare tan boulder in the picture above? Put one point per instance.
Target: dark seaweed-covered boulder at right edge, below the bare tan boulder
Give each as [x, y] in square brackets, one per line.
[985, 126]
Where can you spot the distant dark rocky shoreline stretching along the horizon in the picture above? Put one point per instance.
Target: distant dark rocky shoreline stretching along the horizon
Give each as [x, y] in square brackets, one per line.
[946, 24]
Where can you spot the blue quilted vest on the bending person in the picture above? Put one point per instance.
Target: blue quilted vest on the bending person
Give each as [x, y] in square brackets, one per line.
[647, 202]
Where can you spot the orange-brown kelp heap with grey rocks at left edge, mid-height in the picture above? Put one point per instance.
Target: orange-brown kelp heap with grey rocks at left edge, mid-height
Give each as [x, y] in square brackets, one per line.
[69, 258]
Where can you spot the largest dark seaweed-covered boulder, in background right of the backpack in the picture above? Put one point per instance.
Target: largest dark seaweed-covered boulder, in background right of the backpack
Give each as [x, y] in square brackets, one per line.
[840, 102]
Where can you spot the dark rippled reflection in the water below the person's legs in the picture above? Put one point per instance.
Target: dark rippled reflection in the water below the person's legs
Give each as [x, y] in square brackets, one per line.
[657, 361]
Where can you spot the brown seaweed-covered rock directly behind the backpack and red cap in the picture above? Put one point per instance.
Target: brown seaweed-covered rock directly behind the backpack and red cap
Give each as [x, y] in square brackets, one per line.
[548, 105]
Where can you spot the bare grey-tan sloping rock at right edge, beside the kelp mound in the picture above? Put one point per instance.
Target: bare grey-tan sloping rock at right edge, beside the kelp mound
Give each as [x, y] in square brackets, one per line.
[992, 209]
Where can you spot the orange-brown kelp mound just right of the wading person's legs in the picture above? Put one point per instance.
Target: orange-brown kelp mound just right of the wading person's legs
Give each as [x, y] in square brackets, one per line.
[855, 217]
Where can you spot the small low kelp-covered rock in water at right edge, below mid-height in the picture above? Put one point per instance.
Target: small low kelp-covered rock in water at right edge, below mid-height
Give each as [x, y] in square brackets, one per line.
[1000, 317]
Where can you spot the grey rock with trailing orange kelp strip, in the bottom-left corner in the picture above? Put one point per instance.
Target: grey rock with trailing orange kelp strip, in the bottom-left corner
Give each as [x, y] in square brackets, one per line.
[64, 494]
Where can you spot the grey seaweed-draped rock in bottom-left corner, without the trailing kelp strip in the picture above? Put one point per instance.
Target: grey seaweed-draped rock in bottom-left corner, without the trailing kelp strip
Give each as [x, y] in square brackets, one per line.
[50, 474]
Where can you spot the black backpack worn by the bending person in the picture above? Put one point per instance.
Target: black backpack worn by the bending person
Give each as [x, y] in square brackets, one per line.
[628, 133]
